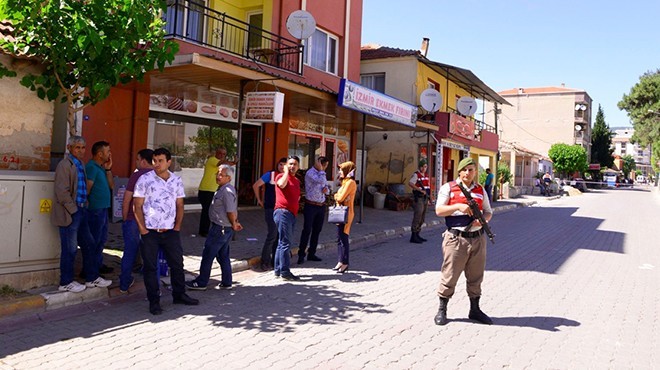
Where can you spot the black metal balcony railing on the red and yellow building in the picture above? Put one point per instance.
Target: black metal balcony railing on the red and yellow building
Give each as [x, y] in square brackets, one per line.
[193, 21]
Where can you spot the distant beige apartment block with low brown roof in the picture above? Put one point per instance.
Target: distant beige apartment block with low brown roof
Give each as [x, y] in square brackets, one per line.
[542, 116]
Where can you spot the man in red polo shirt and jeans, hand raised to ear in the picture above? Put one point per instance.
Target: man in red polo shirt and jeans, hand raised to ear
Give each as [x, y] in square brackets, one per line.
[287, 196]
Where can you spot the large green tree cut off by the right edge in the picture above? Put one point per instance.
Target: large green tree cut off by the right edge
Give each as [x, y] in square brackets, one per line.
[643, 107]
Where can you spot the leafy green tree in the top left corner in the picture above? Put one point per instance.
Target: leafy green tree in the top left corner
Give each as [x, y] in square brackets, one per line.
[88, 46]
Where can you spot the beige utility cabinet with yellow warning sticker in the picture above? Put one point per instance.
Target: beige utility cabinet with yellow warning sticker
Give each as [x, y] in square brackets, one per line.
[28, 241]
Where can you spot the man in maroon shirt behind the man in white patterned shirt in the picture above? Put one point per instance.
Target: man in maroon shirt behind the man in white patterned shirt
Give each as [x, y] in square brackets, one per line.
[129, 225]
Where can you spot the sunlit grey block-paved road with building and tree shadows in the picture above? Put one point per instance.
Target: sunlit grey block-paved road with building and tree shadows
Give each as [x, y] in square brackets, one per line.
[571, 284]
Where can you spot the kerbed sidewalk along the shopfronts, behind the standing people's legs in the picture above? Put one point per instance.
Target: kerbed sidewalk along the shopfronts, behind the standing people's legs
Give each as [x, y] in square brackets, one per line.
[245, 252]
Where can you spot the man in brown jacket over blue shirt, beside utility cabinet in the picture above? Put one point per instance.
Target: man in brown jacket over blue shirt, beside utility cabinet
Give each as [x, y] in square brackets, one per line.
[69, 209]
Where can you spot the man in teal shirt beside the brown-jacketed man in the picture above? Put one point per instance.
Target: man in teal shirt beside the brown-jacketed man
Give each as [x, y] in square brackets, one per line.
[99, 187]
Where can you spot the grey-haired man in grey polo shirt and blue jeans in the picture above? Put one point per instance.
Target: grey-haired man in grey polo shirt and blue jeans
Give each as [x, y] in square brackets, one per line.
[224, 222]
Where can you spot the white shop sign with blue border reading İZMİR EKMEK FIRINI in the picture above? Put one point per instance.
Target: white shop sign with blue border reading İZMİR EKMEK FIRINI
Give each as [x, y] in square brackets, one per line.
[357, 97]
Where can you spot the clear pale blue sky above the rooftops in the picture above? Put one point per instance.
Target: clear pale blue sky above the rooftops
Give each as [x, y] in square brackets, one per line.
[602, 47]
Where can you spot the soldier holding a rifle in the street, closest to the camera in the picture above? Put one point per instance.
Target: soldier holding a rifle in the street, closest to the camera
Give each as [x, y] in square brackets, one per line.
[464, 242]
